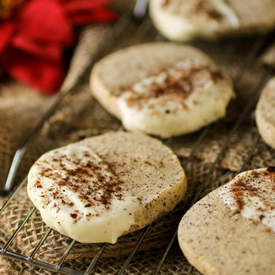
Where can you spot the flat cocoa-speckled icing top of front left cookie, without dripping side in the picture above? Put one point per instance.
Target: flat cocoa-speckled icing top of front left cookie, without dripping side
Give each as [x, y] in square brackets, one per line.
[78, 179]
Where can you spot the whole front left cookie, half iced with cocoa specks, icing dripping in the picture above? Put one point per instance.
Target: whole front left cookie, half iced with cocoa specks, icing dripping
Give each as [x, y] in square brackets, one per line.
[103, 187]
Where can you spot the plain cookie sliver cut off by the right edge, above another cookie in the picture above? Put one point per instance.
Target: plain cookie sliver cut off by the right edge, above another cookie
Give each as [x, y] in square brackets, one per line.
[265, 113]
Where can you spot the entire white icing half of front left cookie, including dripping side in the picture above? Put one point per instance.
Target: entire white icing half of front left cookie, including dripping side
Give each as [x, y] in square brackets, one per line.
[78, 195]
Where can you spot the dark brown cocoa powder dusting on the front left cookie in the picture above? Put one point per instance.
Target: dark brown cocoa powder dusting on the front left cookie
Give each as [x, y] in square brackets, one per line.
[93, 181]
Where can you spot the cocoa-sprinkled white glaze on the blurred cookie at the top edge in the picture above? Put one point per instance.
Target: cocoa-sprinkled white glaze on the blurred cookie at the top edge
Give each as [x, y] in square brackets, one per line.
[182, 20]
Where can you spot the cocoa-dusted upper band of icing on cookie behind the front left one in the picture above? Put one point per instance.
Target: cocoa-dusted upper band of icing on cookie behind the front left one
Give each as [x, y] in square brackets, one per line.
[175, 83]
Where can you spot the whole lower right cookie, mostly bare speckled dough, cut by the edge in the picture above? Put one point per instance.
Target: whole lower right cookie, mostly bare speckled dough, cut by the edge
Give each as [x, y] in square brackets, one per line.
[231, 230]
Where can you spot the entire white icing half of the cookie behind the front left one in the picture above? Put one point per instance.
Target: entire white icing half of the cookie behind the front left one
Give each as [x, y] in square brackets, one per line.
[177, 100]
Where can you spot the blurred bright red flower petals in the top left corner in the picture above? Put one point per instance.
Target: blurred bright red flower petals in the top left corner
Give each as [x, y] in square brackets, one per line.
[33, 39]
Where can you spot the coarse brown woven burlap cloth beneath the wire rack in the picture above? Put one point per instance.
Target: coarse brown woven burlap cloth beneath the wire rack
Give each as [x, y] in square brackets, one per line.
[81, 116]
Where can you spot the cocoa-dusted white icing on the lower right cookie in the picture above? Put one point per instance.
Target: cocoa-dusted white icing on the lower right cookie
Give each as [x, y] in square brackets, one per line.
[252, 194]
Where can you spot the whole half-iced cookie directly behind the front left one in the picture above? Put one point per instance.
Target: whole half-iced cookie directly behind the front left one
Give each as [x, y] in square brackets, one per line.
[161, 88]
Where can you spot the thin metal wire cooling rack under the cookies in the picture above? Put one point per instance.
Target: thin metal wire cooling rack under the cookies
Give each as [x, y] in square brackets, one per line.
[246, 112]
